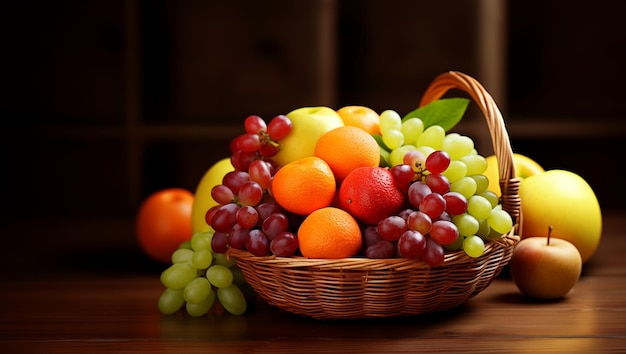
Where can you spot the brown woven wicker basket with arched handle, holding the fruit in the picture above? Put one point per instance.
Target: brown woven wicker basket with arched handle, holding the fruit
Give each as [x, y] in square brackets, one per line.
[352, 288]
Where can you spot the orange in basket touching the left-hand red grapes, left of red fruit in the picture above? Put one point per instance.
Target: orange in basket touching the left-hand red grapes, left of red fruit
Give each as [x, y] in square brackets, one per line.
[304, 185]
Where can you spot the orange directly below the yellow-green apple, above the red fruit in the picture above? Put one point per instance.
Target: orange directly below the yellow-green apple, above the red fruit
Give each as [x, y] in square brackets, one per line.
[346, 148]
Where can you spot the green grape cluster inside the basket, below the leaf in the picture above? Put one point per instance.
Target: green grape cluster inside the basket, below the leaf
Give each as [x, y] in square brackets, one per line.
[483, 218]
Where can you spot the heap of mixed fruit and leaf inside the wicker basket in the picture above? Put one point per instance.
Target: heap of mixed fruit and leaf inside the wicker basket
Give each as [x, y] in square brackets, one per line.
[322, 183]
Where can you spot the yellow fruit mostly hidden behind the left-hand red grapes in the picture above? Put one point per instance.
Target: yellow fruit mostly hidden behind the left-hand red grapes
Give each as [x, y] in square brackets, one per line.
[203, 200]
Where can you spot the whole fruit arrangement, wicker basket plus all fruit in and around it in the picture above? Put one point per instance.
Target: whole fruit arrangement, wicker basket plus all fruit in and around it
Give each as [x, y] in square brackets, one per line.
[391, 208]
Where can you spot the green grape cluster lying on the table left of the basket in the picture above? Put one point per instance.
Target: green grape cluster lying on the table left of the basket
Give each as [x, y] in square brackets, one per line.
[199, 277]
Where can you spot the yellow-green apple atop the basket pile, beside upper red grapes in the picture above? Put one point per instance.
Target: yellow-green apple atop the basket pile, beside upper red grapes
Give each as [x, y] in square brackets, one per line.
[308, 125]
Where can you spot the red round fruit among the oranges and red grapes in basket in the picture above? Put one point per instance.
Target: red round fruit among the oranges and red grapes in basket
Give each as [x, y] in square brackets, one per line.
[371, 194]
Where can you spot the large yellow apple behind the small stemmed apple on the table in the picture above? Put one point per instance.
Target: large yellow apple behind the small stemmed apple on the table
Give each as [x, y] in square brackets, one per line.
[564, 200]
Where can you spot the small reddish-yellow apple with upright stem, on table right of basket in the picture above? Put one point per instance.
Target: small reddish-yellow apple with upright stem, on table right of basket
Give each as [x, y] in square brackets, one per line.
[545, 267]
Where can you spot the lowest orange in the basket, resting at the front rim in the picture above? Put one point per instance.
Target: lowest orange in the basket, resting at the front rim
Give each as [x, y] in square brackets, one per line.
[329, 233]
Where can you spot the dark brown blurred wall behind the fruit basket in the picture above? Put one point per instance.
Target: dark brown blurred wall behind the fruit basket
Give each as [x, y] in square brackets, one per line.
[105, 102]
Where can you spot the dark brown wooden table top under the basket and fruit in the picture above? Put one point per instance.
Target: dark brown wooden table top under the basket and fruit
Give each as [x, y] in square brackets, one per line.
[112, 309]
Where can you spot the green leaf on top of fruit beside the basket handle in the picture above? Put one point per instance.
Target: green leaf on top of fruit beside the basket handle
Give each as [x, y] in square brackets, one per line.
[446, 112]
